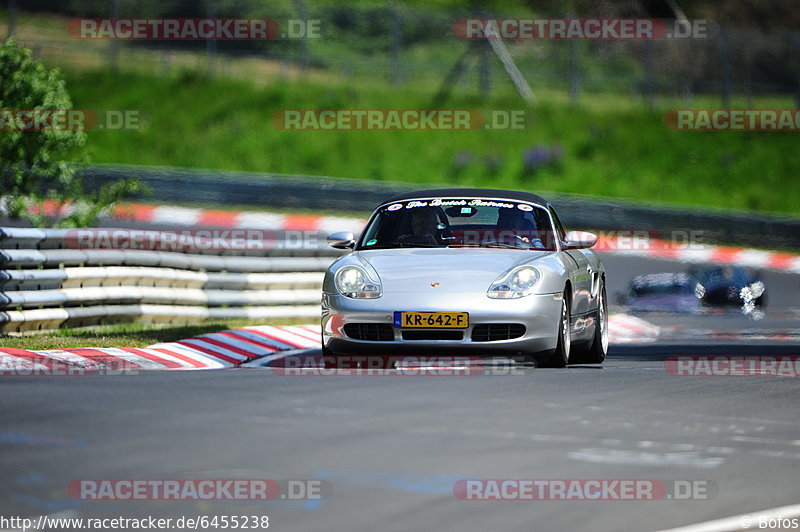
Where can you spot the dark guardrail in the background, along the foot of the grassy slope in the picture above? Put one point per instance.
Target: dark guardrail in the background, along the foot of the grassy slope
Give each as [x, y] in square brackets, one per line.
[183, 185]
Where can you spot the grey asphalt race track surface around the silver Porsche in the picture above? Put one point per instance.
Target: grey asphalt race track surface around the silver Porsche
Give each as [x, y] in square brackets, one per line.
[392, 447]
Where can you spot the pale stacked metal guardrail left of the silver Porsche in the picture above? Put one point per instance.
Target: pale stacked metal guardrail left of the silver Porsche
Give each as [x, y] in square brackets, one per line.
[44, 284]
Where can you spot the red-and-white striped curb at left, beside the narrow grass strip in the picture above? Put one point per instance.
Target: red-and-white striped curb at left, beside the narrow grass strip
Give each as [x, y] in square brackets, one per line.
[224, 349]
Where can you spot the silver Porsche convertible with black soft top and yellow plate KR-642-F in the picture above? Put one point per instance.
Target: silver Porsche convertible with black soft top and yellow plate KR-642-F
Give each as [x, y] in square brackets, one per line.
[474, 271]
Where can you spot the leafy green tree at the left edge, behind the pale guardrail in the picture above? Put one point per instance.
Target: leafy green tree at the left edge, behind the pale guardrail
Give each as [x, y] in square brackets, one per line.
[39, 162]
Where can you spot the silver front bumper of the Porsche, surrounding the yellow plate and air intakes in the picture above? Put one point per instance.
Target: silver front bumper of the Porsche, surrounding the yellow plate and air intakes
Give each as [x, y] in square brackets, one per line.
[539, 314]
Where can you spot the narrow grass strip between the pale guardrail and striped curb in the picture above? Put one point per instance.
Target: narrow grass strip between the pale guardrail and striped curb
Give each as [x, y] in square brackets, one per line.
[124, 335]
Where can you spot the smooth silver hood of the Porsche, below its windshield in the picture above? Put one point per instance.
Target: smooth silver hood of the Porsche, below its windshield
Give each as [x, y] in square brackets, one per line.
[455, 270]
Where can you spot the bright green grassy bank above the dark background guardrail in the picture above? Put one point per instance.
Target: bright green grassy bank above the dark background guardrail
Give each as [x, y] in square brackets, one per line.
[611, 146]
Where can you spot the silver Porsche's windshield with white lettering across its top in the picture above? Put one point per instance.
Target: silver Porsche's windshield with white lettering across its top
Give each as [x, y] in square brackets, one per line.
[459, 222]
